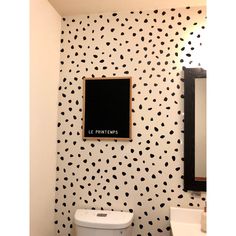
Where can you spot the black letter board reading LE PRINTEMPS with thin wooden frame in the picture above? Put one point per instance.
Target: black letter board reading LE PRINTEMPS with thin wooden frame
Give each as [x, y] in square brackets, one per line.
[107, 108]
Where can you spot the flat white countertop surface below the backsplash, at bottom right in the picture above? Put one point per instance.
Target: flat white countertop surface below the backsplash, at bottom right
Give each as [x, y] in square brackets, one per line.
[186, 229]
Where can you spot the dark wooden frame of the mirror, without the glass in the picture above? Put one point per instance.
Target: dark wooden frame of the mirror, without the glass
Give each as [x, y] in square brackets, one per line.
[190, 74]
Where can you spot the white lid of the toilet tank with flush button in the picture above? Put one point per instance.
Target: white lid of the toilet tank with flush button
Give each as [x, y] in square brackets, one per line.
[101, 219]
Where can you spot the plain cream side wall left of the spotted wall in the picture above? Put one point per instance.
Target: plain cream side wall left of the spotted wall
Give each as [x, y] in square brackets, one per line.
[45, 25]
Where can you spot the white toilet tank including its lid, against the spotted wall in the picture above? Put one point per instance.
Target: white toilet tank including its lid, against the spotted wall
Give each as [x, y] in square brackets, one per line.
[102, 223]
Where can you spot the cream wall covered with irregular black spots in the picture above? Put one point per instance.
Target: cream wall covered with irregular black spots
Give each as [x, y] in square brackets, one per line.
[144, 175]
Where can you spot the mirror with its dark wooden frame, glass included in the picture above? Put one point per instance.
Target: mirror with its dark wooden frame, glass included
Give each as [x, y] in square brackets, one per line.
[194, 129]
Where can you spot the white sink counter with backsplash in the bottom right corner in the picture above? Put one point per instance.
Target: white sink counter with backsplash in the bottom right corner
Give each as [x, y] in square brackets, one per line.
[186, 221]
